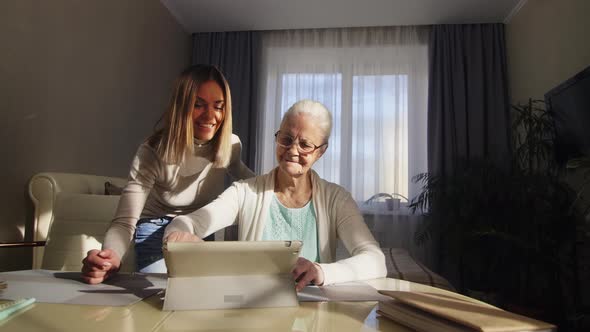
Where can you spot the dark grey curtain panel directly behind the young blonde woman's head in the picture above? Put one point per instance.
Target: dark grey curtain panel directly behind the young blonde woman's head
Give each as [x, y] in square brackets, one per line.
[235, 54]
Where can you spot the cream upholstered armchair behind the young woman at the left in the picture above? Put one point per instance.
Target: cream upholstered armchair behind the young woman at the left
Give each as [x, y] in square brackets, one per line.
[71, 213]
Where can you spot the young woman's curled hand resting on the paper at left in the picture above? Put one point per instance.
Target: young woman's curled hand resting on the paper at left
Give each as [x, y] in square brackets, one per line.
[99, 265]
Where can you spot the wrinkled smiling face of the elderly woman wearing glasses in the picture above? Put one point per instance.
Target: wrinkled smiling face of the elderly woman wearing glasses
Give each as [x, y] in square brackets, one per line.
[291, 161]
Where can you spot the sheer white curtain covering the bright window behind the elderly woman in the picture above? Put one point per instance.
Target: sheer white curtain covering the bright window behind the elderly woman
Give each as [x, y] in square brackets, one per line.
[375, 83]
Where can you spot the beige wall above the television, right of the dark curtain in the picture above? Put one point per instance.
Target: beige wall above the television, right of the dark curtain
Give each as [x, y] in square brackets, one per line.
[547, 42]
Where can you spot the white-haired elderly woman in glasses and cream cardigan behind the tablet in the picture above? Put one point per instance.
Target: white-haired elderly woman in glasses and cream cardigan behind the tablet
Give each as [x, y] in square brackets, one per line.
[292, 202]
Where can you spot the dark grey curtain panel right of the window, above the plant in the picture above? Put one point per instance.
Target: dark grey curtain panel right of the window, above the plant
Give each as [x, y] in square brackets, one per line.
[468, 104]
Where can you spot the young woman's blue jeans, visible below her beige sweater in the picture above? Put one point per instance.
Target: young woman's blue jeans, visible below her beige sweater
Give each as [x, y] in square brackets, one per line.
[148, 244]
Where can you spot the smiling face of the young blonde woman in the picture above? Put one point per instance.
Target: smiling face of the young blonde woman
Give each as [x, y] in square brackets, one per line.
[208, 111]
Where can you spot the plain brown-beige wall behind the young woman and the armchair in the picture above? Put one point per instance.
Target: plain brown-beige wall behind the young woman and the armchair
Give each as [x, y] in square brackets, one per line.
[81, 84]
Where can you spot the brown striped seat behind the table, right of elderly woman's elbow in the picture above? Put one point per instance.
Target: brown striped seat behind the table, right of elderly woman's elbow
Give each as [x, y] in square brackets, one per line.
[401, 265]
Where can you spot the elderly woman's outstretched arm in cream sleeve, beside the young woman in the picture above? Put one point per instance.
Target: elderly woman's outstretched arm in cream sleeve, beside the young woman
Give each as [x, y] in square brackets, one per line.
[218, 214]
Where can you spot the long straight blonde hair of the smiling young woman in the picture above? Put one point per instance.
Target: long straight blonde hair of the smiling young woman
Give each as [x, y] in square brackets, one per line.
[176, 137]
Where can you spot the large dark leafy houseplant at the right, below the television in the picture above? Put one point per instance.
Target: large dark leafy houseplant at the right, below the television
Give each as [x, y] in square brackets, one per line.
[505, 230]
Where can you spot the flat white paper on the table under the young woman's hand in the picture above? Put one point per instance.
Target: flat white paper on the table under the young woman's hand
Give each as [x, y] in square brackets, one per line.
[68, 287]
